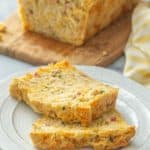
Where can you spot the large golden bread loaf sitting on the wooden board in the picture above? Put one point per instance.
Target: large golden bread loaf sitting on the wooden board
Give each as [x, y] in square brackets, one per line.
[71, 21]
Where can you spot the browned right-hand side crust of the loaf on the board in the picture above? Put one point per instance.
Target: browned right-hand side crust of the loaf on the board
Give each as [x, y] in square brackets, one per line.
[103, 13]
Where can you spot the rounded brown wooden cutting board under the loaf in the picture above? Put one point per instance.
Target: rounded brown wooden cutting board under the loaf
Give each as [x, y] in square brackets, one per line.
[103, 49]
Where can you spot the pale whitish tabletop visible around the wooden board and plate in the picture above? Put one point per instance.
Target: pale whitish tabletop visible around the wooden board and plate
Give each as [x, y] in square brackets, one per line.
[9, 65]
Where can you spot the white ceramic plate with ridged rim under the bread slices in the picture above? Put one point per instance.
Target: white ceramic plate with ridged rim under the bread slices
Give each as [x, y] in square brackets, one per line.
[133, 102]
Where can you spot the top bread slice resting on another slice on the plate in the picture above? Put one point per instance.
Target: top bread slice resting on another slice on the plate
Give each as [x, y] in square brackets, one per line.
[62, 91]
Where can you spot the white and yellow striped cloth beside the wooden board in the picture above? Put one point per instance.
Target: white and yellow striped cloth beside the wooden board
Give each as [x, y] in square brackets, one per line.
[137, 50]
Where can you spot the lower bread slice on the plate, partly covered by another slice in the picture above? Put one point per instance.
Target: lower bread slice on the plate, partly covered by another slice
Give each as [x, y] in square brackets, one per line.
[109, 132]
